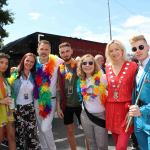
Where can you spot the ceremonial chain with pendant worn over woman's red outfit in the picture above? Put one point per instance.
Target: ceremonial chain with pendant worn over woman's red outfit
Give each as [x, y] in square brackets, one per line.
[115, 85]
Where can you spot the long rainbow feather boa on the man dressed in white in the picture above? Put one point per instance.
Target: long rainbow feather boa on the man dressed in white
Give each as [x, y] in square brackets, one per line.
[43, 81]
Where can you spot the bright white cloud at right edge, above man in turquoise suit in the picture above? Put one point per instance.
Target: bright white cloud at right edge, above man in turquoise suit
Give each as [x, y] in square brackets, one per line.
[136, 21]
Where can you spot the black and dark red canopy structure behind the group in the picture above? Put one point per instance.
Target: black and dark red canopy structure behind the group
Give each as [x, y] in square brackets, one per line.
[29, 43]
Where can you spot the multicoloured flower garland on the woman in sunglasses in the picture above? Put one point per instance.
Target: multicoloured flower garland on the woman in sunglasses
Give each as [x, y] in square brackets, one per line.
[99, 88]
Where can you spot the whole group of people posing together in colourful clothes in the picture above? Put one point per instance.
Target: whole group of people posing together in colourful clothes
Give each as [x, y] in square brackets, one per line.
[113, 99]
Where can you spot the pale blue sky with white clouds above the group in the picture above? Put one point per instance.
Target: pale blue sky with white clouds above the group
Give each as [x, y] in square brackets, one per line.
[85, 19]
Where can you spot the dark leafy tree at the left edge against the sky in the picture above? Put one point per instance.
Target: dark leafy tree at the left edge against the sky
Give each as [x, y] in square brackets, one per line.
[6, 18]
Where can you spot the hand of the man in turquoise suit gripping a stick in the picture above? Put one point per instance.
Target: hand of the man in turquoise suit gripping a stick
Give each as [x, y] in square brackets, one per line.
[134, 111]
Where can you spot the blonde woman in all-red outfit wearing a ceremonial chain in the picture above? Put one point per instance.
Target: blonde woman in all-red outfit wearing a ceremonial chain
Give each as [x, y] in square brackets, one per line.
[120, 76]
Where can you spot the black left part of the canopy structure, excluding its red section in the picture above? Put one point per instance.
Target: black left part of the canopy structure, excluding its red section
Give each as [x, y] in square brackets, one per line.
[29, 43]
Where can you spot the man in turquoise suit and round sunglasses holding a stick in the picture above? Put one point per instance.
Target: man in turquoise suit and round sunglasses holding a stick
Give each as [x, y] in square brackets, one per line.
[141, 112]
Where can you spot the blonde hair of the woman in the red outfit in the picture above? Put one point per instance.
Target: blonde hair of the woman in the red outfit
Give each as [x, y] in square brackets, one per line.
[121, 46]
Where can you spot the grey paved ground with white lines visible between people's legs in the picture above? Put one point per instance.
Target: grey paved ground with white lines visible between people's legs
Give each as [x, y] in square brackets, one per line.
[61, 140]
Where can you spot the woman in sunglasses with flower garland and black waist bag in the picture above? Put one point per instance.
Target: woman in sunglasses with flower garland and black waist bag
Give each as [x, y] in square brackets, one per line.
[92, 91]
